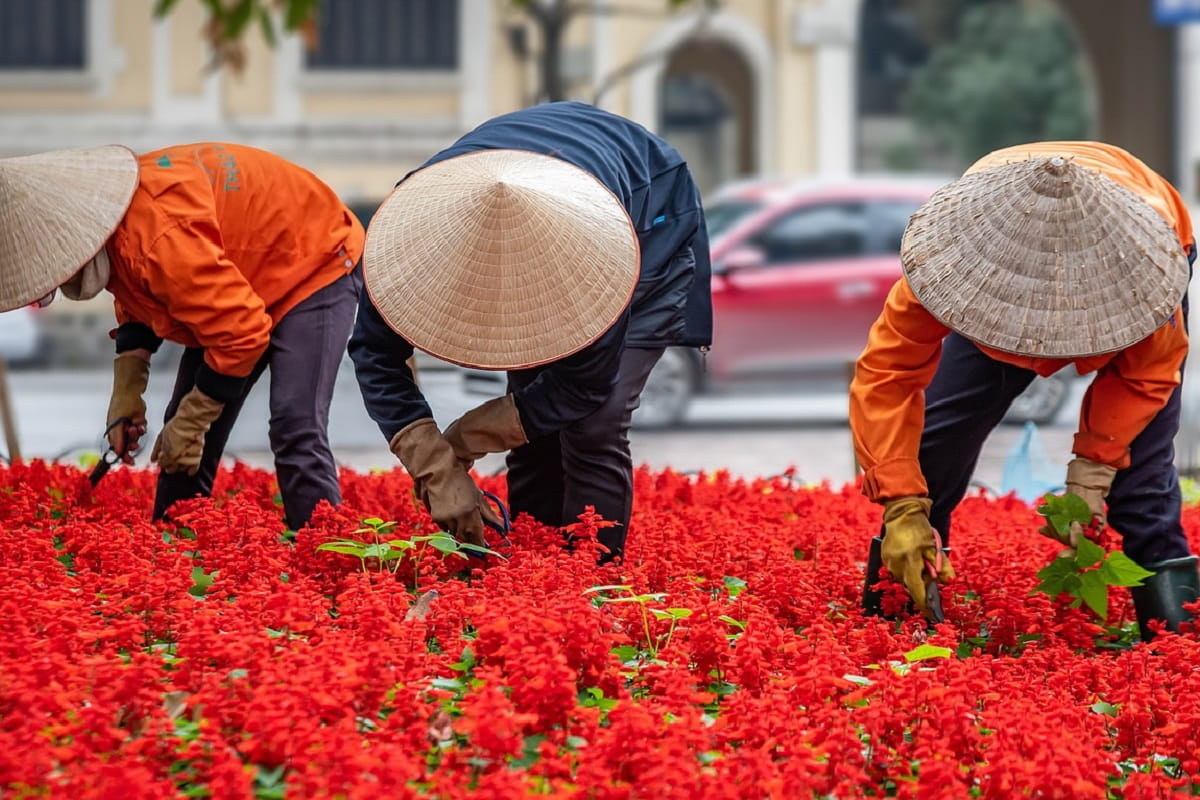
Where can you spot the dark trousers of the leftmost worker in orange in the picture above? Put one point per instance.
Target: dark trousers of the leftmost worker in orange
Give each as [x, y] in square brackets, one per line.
[304, 356]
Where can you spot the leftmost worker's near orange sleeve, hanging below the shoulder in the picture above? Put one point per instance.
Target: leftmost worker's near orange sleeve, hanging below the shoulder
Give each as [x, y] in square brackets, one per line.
[190, 274]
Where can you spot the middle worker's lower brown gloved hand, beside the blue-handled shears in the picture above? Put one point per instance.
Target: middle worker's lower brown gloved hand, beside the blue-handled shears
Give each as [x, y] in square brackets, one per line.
[442, 483]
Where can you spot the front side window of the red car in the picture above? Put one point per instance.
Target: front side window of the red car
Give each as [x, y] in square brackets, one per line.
[815, 233]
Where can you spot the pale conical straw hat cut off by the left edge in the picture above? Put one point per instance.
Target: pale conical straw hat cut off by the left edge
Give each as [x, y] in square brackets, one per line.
[57, 210]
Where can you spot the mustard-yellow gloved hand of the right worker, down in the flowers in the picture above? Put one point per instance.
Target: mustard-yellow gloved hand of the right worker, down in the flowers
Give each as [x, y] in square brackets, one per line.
[909, 543]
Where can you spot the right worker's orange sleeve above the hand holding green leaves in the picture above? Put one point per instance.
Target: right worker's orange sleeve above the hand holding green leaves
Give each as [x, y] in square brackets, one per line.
[1127, 394]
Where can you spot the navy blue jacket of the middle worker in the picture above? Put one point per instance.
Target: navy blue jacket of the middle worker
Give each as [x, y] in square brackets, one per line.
[671, 304]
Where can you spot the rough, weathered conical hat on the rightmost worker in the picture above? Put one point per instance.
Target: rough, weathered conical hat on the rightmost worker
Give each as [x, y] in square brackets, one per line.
[1045, 258]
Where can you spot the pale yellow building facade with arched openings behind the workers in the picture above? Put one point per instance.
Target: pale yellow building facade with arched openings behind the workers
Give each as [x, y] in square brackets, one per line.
[754, 88]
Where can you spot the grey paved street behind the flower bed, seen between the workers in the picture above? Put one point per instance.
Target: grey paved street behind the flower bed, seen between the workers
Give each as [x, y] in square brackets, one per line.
[62, 413]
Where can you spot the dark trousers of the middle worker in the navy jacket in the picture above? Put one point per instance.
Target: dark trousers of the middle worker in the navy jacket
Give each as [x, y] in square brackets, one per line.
[586, 464]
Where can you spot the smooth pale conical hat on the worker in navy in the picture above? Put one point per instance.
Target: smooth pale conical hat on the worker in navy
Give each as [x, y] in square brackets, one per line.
[501, 260]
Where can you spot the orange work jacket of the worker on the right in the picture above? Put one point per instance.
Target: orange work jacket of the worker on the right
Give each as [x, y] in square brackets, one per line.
[887, 398]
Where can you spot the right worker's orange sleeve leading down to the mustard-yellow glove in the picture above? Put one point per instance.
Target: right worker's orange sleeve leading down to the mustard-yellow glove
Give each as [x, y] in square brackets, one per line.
[887, 398]
